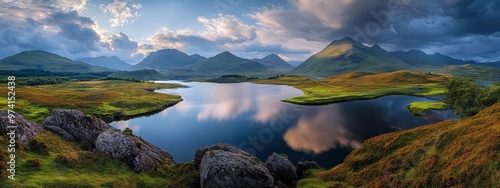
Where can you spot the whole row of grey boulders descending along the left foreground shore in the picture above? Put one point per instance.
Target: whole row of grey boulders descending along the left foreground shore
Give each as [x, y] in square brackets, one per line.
[98, 136]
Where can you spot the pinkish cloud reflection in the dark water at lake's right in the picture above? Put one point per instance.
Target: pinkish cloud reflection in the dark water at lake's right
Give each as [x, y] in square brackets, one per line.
[320, 133]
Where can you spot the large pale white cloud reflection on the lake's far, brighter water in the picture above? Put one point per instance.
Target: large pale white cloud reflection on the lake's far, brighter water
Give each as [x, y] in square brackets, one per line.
[228, 101]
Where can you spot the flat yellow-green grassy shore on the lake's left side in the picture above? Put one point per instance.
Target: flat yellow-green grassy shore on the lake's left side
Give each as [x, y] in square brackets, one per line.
[100, 98]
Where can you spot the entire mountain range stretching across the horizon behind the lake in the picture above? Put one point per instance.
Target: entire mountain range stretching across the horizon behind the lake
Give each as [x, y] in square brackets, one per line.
[340, 56]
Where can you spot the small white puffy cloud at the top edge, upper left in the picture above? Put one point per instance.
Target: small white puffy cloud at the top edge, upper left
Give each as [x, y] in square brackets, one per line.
[122, 12]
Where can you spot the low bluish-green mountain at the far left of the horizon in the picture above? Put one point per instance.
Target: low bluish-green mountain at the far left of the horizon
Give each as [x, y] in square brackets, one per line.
[42, 60]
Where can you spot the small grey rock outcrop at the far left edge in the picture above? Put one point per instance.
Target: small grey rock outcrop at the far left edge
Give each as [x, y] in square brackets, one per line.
[24, 130]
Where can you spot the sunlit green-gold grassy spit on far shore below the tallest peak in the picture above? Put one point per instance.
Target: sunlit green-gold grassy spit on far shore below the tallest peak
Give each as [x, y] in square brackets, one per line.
[361, 85]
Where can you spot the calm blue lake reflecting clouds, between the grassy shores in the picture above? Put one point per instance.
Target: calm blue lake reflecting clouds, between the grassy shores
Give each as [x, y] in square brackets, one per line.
[252, 117]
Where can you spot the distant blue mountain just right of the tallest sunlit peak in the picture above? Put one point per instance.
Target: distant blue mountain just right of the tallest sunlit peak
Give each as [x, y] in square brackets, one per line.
[418, 59]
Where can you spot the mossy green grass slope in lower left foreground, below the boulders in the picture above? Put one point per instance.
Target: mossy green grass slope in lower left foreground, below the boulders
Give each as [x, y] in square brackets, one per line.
[64, 164]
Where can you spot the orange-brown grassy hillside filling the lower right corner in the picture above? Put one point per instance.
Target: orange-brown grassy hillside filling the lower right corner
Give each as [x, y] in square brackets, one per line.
[460, 153]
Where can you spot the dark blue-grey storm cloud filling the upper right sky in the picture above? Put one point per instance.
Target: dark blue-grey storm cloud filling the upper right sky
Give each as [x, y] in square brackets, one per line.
[461, 28]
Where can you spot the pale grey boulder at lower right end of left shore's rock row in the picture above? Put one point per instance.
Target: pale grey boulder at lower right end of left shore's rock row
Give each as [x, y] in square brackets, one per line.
[139, 154]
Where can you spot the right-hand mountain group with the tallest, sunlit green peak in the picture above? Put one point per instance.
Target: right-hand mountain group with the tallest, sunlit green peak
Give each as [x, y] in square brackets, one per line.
[347, 55]
